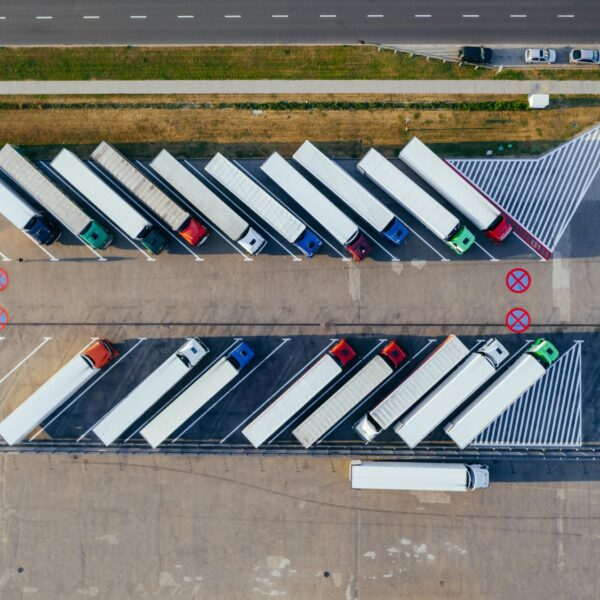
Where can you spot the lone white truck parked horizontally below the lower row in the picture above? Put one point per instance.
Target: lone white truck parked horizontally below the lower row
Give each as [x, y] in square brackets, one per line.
[435, 477]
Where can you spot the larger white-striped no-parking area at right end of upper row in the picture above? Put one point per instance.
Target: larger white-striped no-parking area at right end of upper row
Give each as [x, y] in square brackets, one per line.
[540, 194]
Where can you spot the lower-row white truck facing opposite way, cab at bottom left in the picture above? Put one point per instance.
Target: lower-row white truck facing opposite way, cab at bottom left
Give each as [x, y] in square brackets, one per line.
[427, 375]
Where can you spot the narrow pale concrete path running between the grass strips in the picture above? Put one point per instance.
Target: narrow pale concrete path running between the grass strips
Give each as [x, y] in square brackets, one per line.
[489, 87]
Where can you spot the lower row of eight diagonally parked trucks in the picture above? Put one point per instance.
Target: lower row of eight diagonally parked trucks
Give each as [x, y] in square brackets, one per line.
[430, 395]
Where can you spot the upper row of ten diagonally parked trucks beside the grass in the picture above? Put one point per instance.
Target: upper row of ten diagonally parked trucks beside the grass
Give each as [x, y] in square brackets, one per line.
[110, 178]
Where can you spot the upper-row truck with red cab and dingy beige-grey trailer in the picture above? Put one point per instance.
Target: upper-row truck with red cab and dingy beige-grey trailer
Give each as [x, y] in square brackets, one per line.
[152, 197]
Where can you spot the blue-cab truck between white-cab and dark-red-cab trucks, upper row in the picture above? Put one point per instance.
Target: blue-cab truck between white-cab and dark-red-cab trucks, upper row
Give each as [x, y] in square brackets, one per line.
[264, 205]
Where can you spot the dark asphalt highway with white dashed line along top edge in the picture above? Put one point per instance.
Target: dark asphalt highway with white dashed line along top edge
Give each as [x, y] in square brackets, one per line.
[39, 22]
